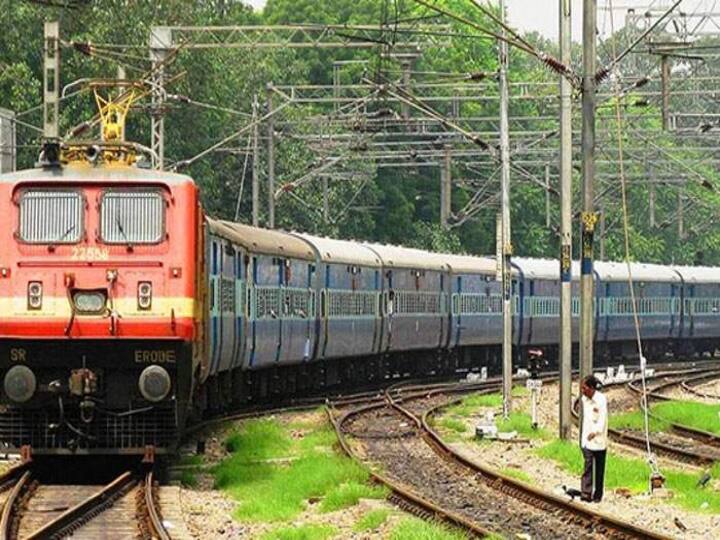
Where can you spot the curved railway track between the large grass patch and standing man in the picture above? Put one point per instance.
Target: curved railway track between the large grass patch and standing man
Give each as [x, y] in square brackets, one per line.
[426, 474]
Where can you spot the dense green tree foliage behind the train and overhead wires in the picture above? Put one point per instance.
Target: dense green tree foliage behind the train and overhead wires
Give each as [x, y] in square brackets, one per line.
[394, 205]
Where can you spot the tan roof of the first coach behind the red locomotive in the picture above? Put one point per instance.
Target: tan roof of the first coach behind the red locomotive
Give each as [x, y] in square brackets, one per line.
[265, 241]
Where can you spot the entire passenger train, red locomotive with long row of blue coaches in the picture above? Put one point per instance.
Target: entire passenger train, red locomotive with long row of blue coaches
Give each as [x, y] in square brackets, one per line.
[126, 312]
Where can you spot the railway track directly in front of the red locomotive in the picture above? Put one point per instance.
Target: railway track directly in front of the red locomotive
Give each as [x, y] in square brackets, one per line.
[125, 508]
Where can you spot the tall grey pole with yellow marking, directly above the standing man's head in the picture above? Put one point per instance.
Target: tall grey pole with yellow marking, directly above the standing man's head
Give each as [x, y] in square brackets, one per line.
[588, 216]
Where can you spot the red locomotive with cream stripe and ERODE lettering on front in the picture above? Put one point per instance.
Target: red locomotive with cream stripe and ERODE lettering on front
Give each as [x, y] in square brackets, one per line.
[93, 249]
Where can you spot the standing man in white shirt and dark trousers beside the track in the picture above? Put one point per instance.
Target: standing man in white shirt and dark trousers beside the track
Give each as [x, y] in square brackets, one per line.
[593, 439]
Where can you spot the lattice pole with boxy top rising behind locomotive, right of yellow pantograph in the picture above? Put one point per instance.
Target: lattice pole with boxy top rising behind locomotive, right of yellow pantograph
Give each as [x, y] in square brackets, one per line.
[160, 43]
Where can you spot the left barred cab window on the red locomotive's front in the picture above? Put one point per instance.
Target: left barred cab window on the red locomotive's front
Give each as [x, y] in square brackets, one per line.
[51, 216]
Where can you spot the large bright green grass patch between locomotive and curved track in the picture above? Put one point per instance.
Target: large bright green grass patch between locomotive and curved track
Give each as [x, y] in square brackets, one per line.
[277, 490]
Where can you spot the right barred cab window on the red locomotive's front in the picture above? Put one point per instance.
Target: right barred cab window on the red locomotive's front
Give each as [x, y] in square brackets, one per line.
[132, 217]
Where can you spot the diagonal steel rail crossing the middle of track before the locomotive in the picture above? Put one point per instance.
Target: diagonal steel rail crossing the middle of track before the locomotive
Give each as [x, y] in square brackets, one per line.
[75, 517]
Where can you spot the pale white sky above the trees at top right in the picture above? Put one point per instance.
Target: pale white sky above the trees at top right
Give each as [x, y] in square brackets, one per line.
[542, 15]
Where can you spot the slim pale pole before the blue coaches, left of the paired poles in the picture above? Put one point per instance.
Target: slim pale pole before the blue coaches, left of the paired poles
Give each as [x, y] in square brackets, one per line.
[505, 205]
